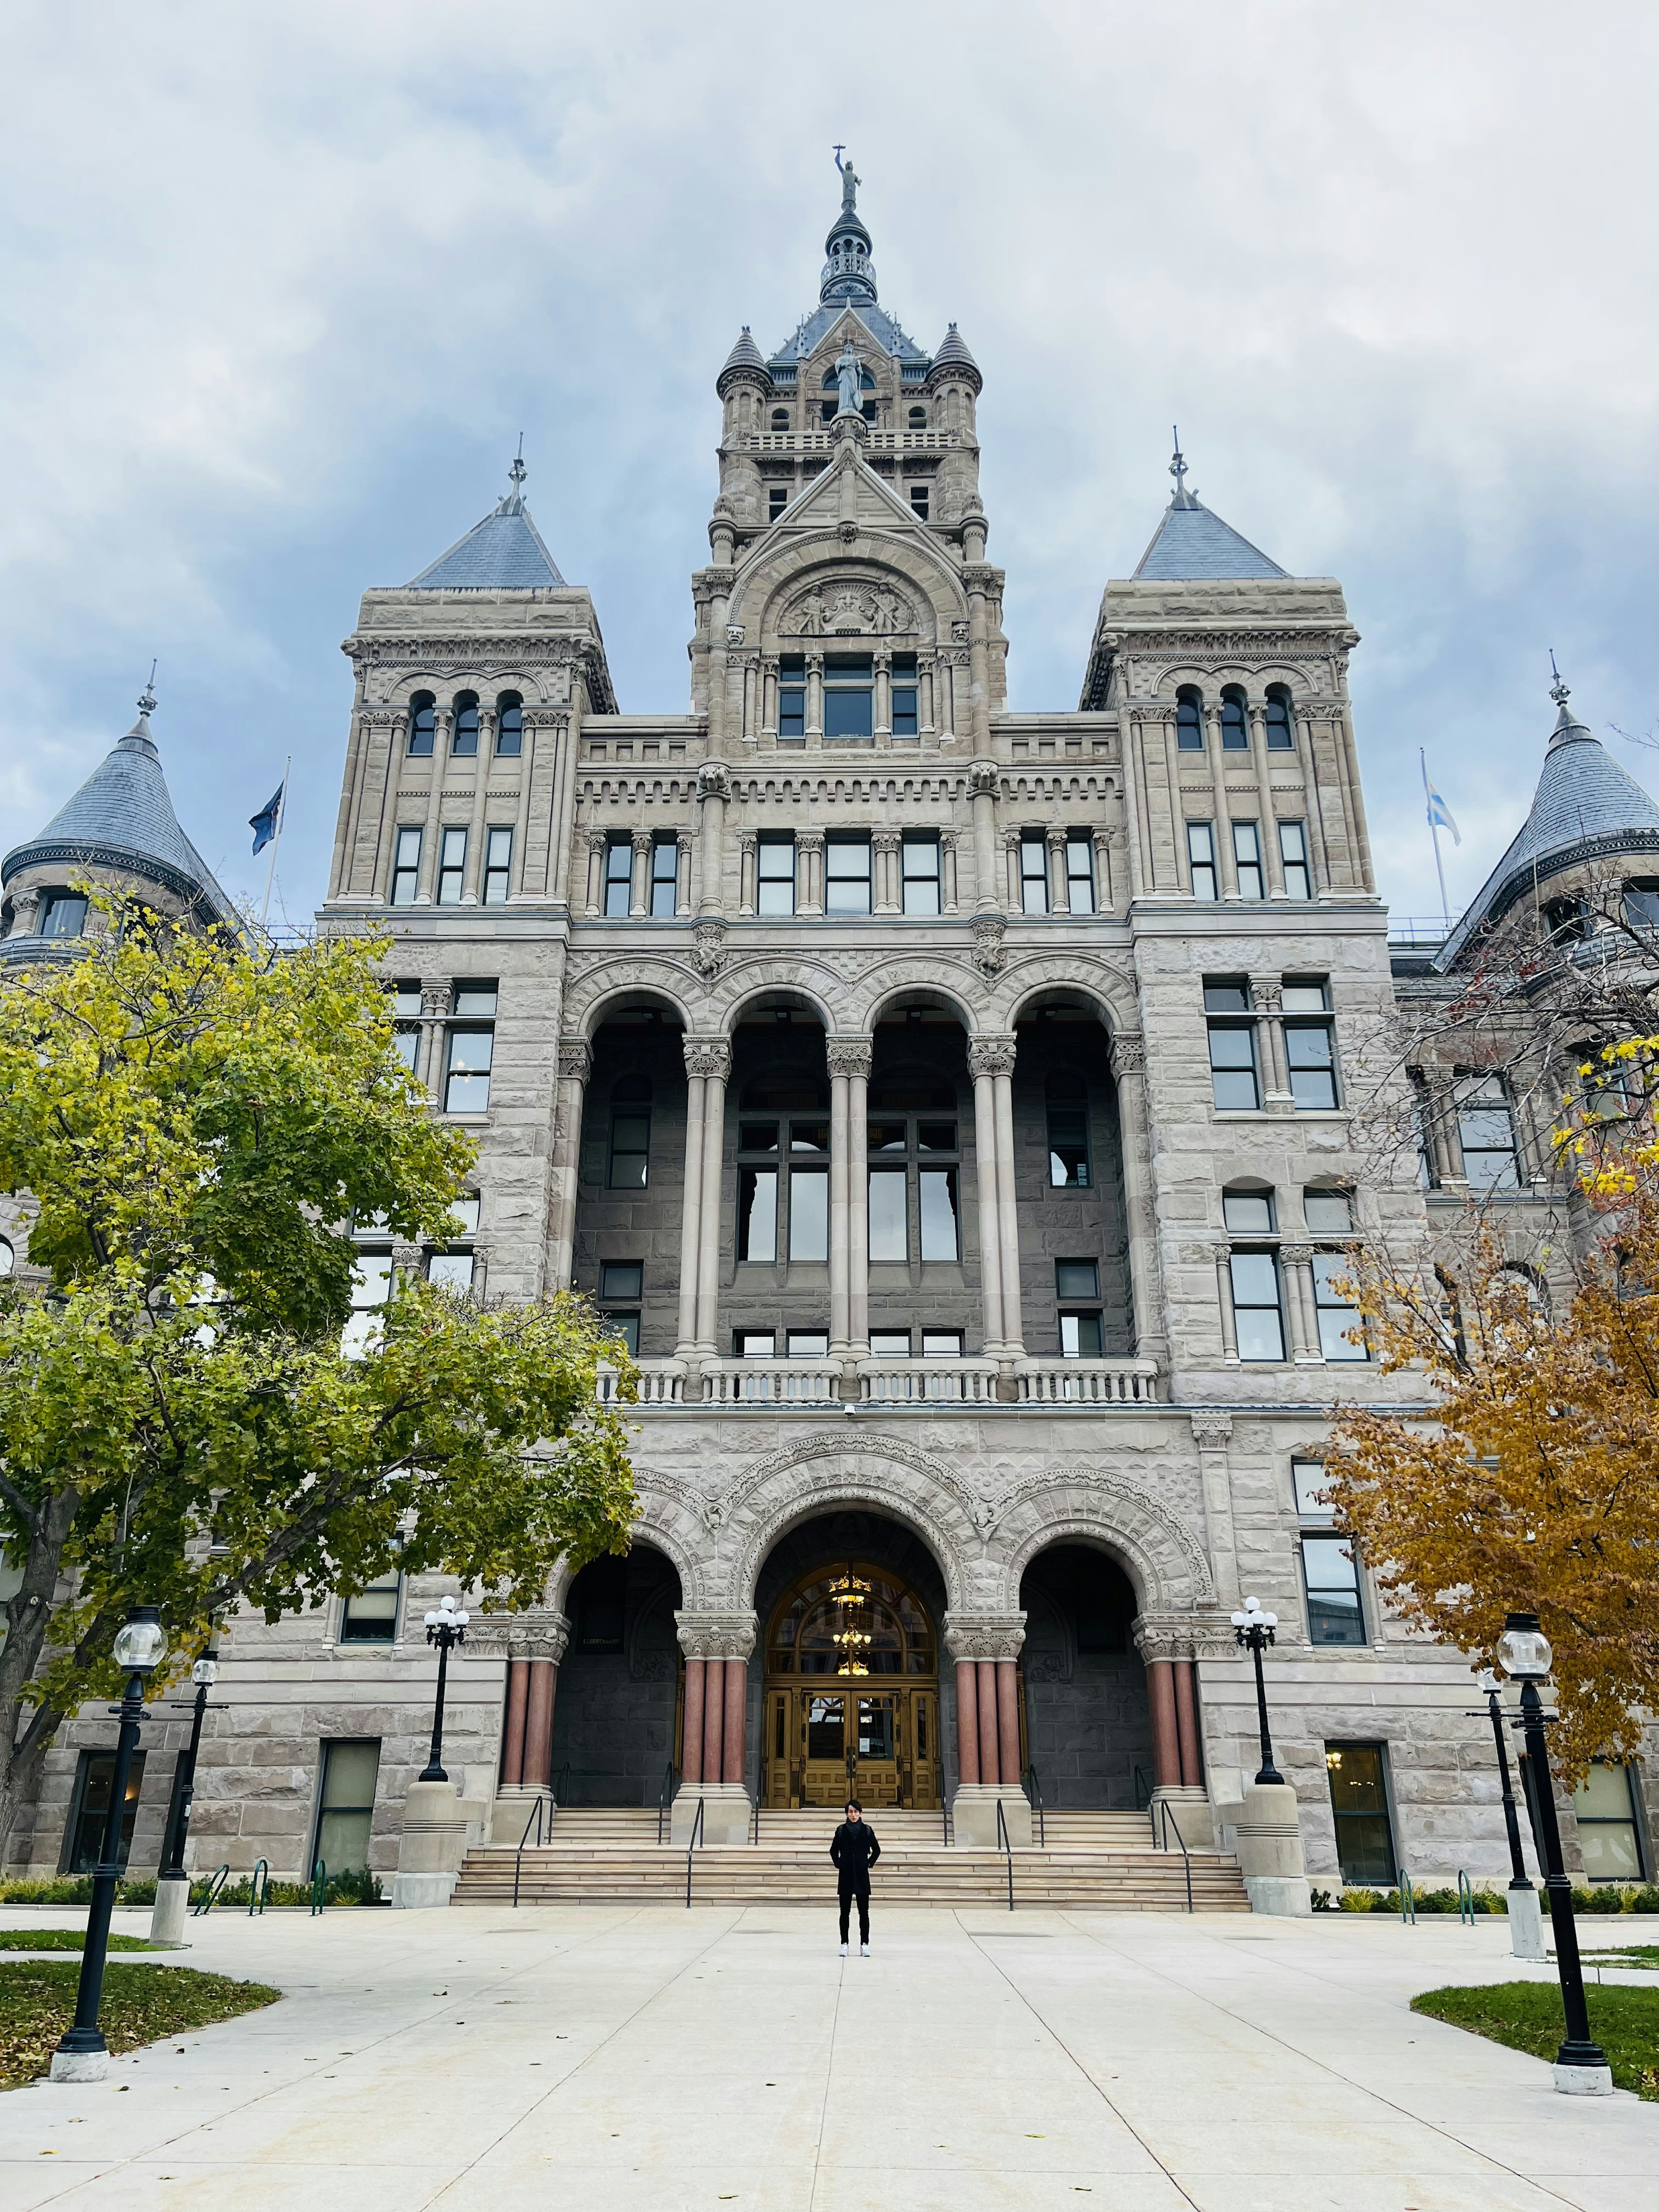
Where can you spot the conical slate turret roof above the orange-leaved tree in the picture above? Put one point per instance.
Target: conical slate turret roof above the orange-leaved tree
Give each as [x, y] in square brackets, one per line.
[1585, 808]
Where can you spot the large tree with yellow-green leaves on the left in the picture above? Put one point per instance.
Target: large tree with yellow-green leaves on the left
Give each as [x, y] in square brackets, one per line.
[194, 1127]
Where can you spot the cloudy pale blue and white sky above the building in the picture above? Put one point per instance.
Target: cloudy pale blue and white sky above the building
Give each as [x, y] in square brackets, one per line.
[284, 284]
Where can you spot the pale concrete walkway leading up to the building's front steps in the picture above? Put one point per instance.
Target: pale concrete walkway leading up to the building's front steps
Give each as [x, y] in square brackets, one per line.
[585, 2060]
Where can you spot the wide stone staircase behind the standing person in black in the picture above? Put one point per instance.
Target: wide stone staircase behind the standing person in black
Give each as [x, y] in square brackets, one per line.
[1094, 1861]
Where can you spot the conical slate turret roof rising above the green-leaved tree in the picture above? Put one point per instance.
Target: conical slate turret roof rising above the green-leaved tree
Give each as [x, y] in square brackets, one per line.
[123, 820]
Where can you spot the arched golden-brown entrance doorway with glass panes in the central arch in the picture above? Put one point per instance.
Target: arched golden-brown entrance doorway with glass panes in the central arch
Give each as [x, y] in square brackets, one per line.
[851, 1702]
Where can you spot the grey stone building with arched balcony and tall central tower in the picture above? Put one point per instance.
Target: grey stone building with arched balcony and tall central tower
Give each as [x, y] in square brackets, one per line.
[954, 1112]
